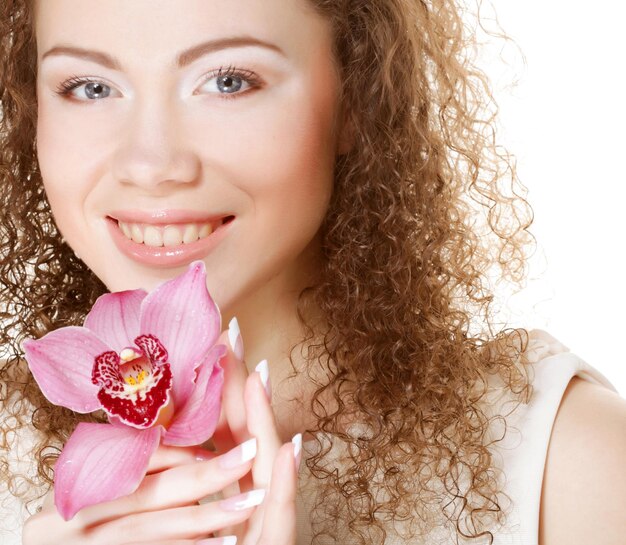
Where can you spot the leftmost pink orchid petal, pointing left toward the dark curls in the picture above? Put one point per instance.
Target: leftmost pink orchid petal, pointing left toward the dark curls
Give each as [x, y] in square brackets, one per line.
[61, 362]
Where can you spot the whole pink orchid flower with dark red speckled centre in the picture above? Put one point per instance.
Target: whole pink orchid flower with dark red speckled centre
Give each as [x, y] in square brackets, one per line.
[151, 362]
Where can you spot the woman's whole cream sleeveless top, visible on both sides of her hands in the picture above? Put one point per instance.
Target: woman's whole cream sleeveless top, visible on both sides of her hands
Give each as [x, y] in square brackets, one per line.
[521, 455]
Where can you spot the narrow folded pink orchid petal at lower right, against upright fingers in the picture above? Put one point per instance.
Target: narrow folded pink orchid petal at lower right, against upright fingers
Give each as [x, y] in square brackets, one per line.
[196, 421]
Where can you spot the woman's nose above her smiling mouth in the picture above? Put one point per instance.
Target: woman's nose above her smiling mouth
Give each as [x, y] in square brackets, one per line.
[152, 153]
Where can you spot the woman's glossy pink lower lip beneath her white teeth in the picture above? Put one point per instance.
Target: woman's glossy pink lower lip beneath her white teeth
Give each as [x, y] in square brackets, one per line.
[166, 256]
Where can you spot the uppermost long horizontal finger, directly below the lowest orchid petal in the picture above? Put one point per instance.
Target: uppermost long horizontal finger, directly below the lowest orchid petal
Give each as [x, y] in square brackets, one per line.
[181, 485]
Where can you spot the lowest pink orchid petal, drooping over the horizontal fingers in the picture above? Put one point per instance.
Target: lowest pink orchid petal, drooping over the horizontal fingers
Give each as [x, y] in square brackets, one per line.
[99, 463]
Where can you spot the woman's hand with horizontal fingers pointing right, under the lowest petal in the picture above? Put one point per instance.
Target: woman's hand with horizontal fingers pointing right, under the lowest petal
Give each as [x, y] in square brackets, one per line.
[163, 510]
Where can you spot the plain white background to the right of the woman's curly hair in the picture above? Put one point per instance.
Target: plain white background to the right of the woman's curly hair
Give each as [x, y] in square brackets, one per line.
[565, 120]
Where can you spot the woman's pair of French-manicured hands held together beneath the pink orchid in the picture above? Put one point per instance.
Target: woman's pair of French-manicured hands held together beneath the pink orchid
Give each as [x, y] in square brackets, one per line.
[165, 509]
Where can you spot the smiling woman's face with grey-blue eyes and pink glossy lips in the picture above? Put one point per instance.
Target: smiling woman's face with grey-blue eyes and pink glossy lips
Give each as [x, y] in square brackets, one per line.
[157, 129]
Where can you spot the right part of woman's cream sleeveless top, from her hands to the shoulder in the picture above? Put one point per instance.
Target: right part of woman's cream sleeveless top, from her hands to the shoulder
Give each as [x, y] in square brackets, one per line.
[521, 455]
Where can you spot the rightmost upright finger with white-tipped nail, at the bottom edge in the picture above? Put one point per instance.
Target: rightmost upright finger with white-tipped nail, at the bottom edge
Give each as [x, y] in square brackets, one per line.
[279, 518]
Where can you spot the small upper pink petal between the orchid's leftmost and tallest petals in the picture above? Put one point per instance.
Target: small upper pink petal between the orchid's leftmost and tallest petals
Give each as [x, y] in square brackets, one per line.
[115, 317]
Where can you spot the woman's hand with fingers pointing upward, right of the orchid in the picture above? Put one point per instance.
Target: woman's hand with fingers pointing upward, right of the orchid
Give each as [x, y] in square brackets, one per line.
[246, 413]
